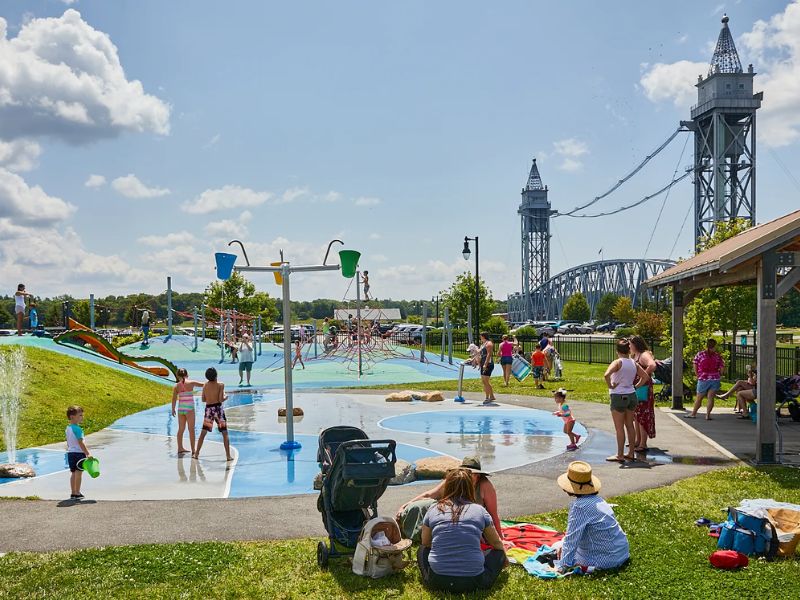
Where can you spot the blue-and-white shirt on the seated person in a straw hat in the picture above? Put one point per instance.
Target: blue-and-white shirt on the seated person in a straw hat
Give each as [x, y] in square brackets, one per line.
[594, 537]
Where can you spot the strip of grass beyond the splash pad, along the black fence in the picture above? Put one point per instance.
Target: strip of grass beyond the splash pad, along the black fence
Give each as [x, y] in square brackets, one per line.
[584, 382]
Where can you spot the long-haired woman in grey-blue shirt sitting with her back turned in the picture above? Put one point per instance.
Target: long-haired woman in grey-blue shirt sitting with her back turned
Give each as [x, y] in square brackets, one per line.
[450, 557]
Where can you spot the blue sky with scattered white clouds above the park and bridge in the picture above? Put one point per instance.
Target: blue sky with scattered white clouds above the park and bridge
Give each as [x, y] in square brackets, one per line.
[138, 137]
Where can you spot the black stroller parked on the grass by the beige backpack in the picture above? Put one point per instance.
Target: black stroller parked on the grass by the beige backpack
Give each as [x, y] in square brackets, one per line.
[355, 473]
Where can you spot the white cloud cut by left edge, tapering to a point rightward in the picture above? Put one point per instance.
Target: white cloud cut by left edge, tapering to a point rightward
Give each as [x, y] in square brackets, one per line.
[30, 206]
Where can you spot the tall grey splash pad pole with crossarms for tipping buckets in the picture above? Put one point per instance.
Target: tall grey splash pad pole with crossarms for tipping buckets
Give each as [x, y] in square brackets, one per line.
[285, 270]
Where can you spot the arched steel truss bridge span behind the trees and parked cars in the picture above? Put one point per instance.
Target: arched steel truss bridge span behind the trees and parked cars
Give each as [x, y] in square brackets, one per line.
[622, 277]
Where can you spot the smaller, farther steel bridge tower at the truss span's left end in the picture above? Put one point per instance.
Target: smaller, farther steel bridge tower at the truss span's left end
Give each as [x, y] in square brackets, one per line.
[534, 212]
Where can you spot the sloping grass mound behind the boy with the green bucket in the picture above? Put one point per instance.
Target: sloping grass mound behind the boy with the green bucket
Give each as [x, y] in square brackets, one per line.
[55, 381]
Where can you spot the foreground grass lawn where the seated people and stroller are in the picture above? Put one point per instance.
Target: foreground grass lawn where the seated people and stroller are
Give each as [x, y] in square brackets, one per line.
[669, 559]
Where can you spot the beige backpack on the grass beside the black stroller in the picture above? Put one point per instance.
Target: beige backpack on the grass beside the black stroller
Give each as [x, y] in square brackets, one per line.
[371, 560]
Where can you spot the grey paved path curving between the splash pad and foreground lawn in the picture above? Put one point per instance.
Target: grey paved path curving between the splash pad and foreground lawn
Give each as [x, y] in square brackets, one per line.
[50, 525]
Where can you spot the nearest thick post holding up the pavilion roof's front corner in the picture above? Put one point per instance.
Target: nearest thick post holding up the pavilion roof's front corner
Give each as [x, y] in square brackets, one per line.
[765, 351]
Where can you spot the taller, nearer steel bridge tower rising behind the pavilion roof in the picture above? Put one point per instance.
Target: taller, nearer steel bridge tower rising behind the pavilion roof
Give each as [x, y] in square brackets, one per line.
[724, 126]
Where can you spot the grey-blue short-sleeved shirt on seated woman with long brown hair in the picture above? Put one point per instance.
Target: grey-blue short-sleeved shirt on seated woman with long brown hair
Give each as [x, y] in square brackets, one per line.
[456, 547]
